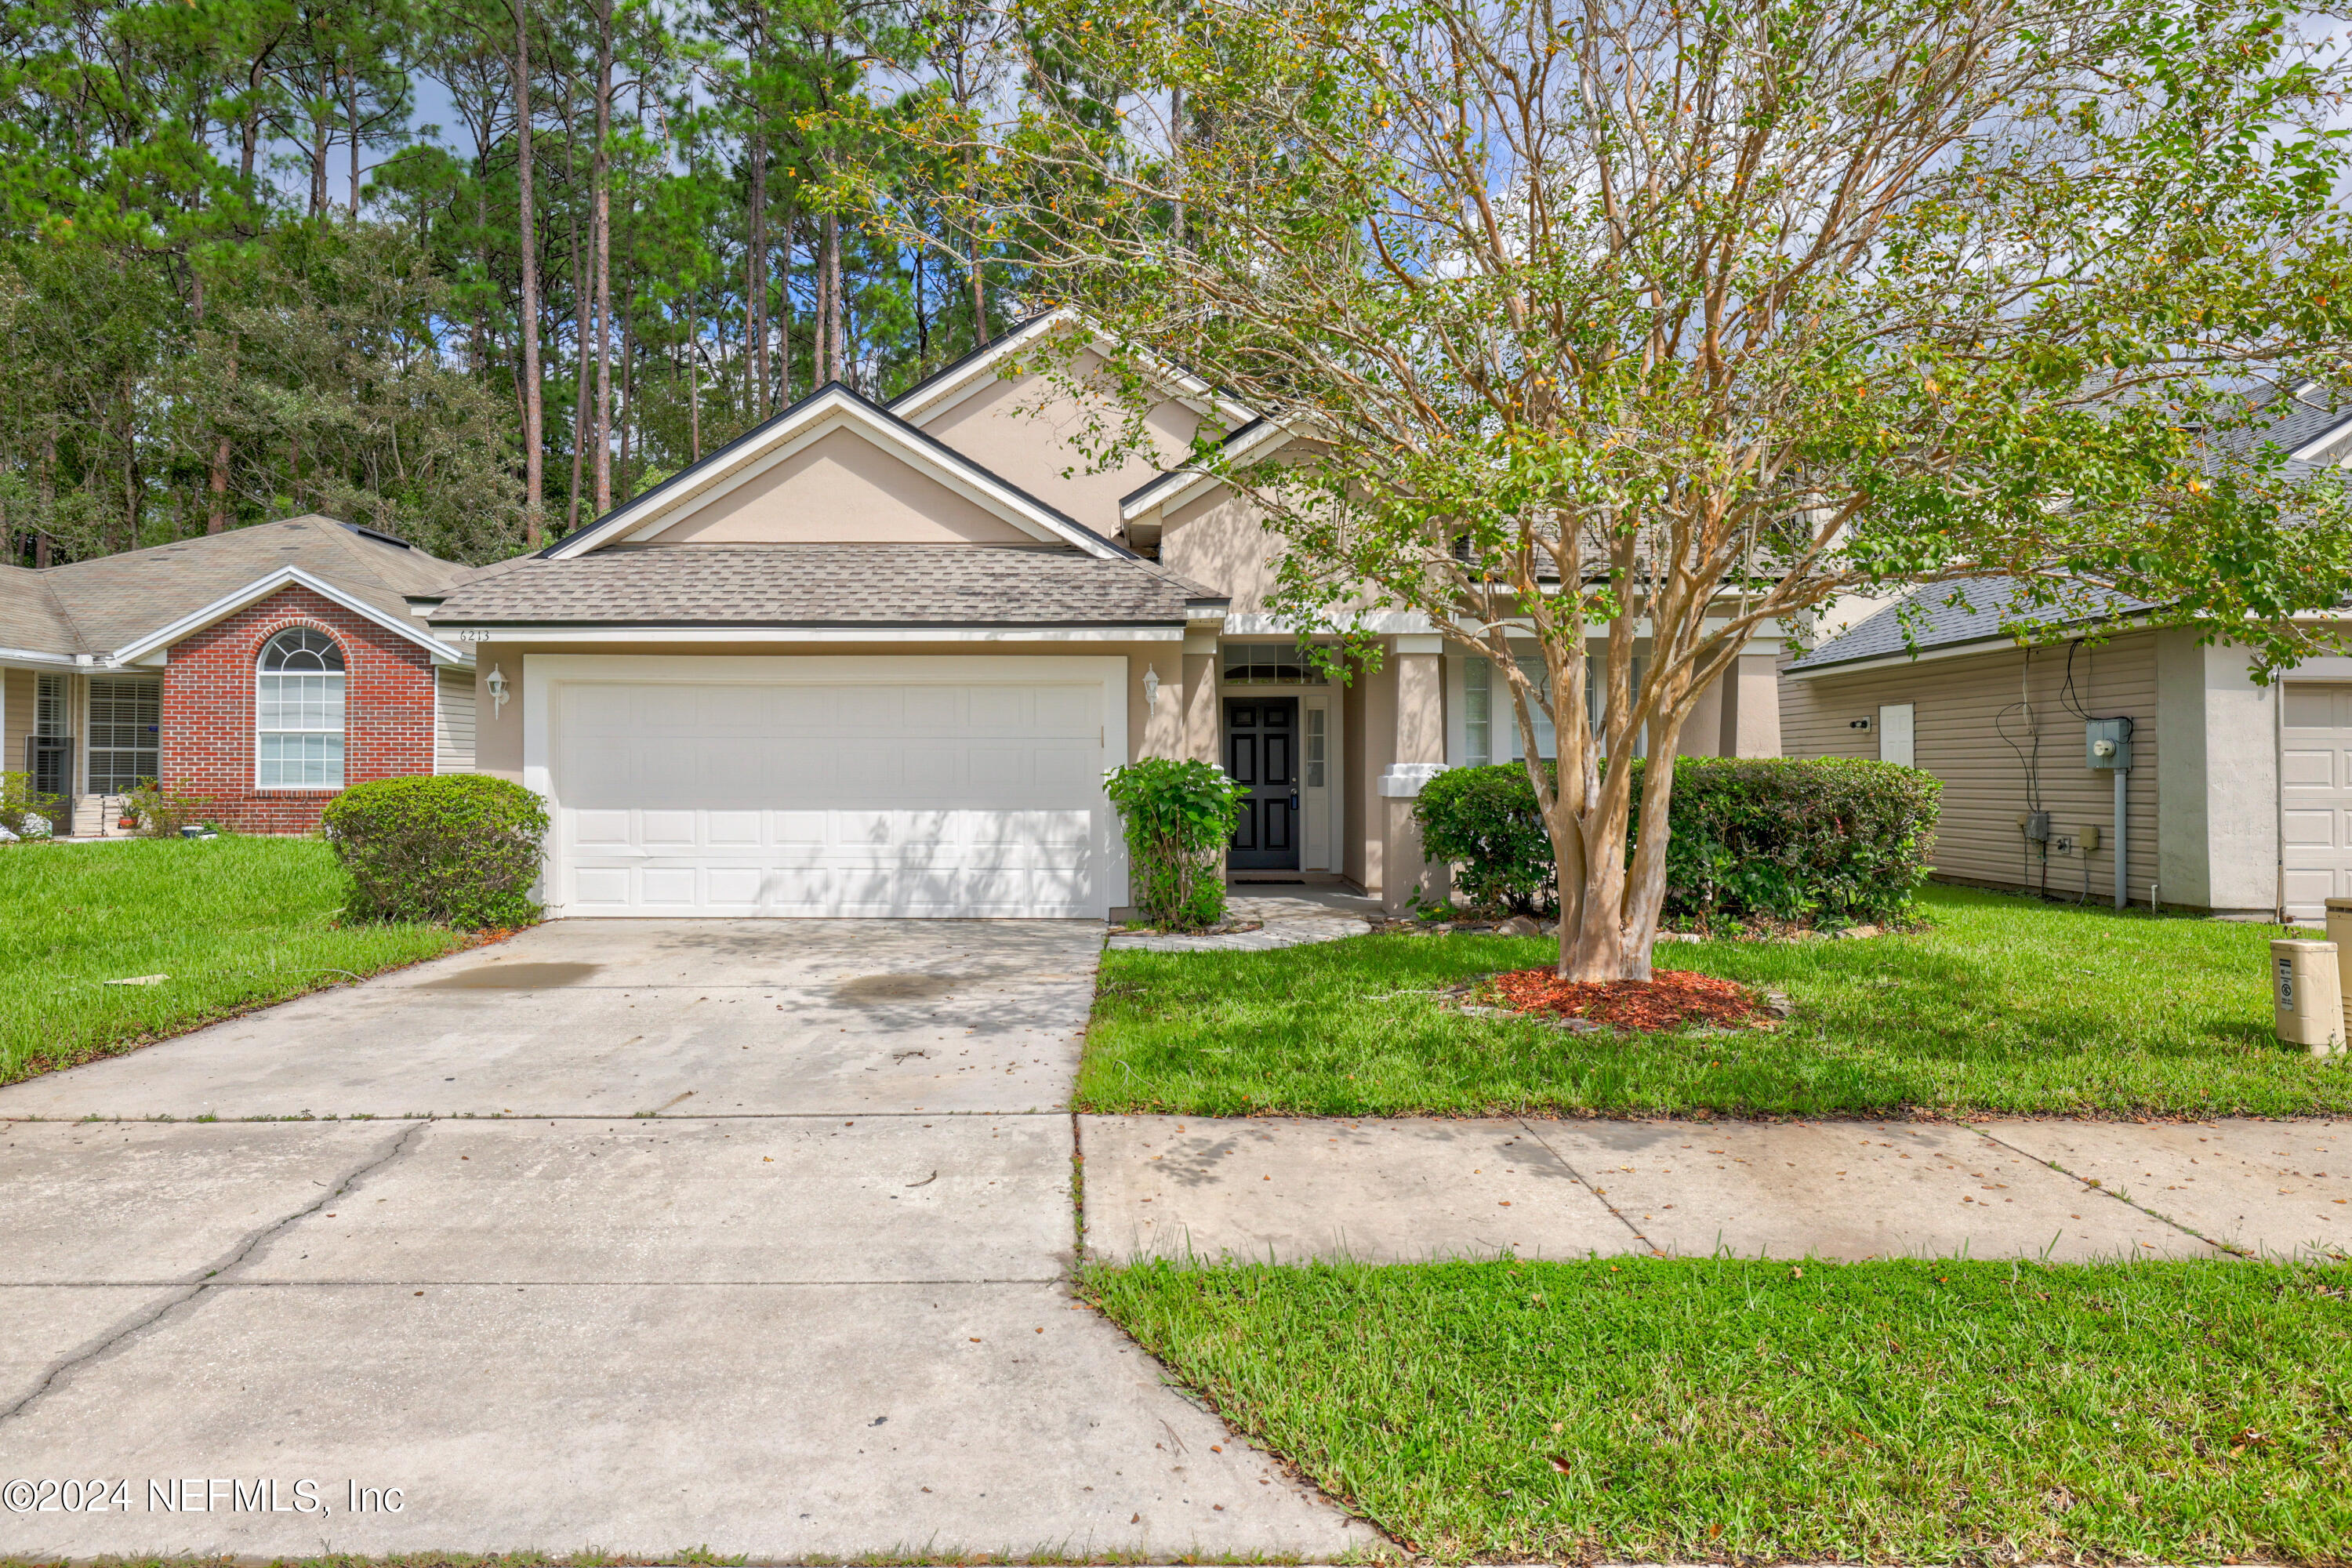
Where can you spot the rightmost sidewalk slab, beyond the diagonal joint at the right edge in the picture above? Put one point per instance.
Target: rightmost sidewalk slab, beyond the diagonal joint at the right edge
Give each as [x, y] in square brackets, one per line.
[2271, 1188]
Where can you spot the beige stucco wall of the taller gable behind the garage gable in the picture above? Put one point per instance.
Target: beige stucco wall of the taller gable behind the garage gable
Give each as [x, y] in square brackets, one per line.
[1041, 436]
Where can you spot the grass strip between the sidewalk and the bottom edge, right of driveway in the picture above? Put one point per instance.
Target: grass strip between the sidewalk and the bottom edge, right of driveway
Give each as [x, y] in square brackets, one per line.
[1760, 1412]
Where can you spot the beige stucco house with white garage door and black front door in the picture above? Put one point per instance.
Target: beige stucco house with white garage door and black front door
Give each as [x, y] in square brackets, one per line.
[876, 662]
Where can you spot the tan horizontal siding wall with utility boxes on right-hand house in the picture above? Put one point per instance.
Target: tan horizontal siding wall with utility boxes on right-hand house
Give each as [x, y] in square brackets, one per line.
[1958, 704]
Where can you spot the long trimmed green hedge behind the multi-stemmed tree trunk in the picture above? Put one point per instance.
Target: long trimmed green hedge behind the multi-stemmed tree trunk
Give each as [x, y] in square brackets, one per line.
[1833, 840]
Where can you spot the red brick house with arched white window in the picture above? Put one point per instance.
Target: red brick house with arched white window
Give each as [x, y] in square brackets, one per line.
[262, 671]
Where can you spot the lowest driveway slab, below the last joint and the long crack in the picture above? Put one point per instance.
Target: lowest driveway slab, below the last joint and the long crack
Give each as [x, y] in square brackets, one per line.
[780, 1421]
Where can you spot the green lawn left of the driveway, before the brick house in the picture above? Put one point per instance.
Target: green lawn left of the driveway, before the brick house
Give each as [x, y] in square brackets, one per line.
[234, 923]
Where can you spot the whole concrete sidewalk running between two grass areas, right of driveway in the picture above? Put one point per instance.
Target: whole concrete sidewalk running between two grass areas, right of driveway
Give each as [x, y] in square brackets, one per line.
[1422, 1188]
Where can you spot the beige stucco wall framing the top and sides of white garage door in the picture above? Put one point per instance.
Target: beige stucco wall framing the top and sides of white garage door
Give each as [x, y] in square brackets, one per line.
[1154, 730]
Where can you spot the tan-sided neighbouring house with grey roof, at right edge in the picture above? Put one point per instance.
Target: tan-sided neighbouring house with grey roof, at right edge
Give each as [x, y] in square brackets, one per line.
[2238, 796]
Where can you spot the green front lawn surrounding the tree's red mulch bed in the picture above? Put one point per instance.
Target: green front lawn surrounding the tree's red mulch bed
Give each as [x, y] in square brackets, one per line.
[2005, 1005]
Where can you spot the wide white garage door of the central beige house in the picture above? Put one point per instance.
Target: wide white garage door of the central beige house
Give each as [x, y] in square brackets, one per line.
[831, 798]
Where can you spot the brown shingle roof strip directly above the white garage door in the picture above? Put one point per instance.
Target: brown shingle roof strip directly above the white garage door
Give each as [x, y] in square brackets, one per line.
[824, 587]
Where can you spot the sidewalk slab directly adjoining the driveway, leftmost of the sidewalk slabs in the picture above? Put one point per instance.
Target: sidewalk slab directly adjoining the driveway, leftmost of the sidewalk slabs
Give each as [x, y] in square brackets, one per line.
[1372, 1191]
